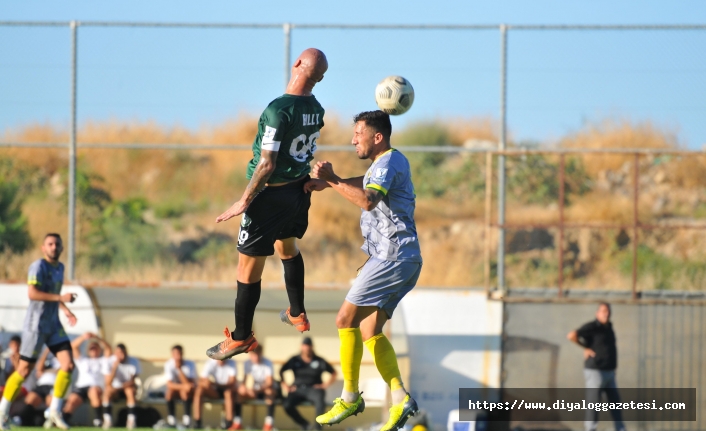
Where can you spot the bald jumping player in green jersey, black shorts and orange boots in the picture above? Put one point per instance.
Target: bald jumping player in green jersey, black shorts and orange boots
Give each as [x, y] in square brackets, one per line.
[274, 206]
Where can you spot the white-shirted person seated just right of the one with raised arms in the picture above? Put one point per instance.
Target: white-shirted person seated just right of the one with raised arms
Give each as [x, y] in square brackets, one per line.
[120, 371]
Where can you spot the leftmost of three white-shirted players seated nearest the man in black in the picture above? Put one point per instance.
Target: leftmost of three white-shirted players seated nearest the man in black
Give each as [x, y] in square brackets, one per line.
[181, 383]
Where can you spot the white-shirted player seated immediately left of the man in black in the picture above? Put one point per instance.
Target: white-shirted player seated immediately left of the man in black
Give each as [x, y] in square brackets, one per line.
[259, 371]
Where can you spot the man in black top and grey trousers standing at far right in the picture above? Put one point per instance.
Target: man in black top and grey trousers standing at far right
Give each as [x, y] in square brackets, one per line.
[601, 359]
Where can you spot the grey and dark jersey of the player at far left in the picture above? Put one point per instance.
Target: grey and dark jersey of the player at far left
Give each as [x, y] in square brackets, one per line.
[43, 317]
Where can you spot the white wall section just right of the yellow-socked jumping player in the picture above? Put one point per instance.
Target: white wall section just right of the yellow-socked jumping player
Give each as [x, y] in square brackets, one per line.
[452, 338]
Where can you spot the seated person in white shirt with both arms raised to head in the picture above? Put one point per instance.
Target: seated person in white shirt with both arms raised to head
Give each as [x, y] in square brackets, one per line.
[90, 382]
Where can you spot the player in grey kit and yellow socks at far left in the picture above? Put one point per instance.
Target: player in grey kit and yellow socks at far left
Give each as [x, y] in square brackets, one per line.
[42, 327]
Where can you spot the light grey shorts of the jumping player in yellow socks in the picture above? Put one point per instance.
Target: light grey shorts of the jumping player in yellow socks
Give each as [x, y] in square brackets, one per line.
[383, 284]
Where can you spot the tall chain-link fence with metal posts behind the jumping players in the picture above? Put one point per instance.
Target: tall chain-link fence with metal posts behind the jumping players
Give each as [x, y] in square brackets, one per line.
[496, 208]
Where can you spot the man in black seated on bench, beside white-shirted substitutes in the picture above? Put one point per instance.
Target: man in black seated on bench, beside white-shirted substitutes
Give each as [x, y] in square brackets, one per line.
[307, 386]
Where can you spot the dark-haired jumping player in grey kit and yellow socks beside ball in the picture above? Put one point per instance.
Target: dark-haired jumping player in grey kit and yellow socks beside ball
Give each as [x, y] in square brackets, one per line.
[386, 195]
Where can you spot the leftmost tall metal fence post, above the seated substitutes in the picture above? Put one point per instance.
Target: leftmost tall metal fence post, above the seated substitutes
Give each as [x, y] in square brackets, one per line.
[71, 264]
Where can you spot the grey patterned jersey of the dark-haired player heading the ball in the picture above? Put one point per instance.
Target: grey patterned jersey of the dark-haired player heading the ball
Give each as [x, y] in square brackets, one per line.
[389, 229]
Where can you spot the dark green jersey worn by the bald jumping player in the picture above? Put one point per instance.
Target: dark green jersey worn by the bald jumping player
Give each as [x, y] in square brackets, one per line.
[289, 125]
